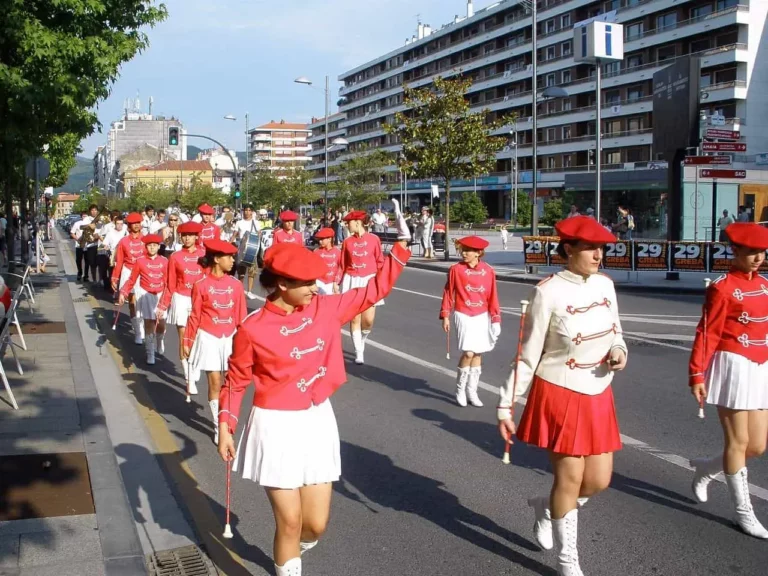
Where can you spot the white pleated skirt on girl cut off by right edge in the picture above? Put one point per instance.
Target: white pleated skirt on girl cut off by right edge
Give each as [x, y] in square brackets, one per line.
[736, 382]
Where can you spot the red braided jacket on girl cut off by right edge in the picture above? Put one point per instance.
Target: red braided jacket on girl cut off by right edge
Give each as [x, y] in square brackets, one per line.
[735, 320]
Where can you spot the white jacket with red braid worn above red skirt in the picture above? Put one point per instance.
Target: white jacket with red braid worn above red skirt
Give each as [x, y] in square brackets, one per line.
[570, 329]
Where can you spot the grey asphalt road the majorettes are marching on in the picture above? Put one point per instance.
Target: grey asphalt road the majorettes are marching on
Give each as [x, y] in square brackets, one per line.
[423, 489]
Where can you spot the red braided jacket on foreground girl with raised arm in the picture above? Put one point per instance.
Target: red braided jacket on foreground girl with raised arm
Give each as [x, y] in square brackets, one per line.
[295, 360]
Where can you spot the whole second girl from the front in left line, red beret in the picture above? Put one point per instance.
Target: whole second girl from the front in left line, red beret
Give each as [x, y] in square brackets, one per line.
[218, 307]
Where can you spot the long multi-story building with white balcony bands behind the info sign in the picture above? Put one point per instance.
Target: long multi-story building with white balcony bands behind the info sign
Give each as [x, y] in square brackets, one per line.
[493, 47]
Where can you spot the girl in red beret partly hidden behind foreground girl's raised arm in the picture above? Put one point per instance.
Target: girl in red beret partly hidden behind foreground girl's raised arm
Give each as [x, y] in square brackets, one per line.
[361, 258]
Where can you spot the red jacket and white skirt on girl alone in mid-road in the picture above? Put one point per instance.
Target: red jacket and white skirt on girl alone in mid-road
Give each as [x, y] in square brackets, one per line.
[471, 294]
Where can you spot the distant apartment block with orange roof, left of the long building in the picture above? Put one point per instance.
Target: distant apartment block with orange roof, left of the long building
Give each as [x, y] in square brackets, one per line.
[279, 146]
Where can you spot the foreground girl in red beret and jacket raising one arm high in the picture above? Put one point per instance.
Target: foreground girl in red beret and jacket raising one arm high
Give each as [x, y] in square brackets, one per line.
[291, 351]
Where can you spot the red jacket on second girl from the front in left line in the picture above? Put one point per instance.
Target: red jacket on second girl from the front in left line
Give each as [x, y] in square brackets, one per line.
[218, 307]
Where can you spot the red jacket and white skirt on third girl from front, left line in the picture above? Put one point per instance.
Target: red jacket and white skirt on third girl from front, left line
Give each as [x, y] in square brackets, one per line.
[183, 271]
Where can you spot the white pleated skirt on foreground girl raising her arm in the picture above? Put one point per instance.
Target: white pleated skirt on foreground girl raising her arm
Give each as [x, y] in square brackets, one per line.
[290, 448]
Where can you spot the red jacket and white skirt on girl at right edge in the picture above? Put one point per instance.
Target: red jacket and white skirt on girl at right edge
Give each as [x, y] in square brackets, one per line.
[730, 351]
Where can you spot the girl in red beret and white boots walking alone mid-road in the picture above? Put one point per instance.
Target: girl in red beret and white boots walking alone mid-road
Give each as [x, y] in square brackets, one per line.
[470, 293]
